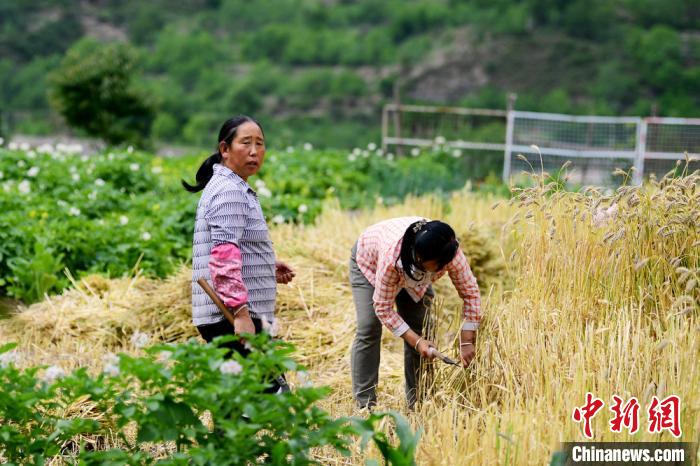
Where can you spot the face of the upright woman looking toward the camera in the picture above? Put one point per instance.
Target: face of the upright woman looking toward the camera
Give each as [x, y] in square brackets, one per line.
[245, 155]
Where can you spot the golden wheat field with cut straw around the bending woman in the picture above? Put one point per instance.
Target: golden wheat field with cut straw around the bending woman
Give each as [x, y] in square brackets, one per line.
[603, 299]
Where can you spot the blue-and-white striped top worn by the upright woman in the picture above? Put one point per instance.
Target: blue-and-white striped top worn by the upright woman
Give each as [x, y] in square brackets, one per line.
[229, 212]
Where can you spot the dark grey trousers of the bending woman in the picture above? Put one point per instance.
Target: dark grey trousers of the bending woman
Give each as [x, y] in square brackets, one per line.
[364, 358]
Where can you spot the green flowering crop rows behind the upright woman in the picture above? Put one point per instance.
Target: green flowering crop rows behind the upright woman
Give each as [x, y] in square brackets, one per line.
[111, 212]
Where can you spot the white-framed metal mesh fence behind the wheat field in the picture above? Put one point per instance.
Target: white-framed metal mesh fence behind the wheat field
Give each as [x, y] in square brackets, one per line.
[594, 145]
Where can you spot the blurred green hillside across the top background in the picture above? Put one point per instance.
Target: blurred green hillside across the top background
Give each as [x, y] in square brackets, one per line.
[319, 71]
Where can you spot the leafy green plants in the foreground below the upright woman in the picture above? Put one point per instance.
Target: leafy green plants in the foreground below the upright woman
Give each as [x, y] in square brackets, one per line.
[165, 397]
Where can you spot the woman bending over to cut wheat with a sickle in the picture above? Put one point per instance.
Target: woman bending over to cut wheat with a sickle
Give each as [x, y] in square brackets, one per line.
[396, 261]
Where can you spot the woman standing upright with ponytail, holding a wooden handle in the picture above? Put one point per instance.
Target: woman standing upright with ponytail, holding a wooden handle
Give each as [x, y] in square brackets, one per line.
[232, 249]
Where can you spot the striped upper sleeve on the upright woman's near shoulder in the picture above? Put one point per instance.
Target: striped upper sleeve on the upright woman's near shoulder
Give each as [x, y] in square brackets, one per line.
[227, 216]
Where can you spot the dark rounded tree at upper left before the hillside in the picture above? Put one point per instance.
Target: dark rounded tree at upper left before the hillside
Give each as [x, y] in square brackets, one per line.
[93, 90]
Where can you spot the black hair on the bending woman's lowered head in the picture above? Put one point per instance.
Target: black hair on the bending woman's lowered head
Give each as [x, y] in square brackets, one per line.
[431, 241]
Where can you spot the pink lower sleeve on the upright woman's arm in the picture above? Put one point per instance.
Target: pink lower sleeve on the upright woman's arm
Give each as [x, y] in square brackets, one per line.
[225, 267]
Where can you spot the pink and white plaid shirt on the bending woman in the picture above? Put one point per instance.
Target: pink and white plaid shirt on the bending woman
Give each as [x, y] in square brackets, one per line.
[379, 249]
